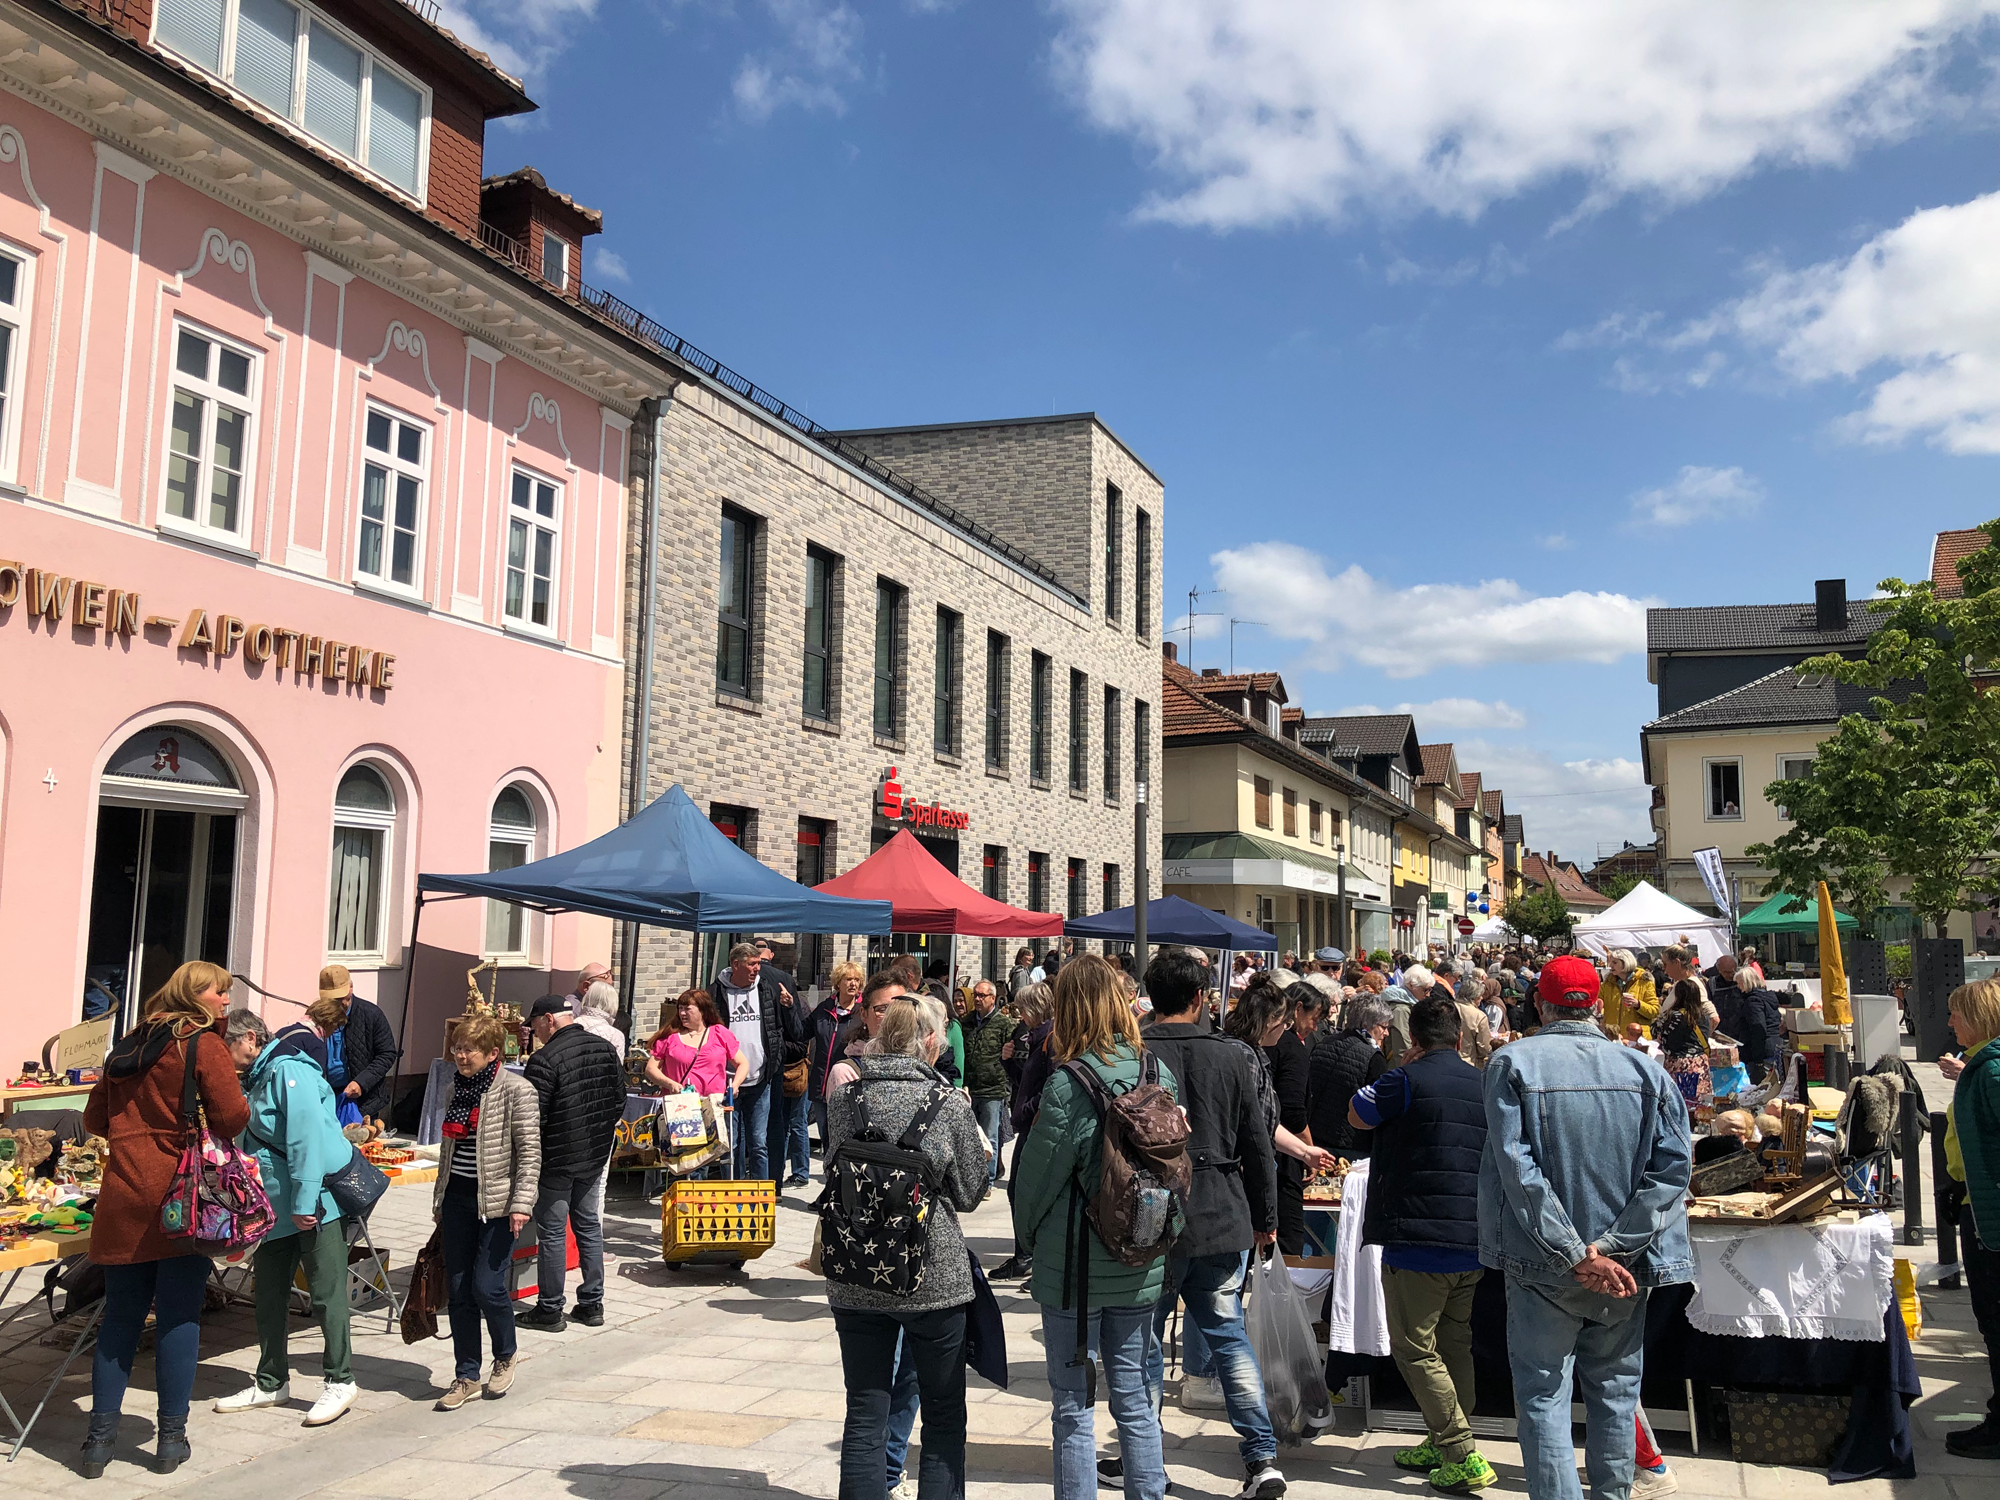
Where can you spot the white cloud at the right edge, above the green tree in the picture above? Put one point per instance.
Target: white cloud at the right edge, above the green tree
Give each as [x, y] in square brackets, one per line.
[1917, 311]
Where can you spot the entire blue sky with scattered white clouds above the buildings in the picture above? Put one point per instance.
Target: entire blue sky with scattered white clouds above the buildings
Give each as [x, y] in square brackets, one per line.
[1459, 333]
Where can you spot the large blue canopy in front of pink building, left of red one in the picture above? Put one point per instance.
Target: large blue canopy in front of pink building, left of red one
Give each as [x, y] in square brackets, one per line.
[669, 867]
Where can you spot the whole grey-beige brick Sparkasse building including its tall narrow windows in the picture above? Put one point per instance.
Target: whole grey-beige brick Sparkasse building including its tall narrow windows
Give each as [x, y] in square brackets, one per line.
[965, 615]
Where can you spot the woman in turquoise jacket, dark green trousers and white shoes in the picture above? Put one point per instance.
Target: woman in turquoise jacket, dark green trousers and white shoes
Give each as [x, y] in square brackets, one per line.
[297, 1141]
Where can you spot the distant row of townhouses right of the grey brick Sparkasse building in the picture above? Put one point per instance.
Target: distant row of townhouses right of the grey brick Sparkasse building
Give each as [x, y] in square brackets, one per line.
[1339, 831]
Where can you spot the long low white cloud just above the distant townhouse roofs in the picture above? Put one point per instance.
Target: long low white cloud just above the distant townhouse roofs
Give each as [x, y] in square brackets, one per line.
[1411, 631]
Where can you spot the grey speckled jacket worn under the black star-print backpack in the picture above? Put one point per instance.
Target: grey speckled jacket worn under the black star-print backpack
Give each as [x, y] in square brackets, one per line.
[897, 1089]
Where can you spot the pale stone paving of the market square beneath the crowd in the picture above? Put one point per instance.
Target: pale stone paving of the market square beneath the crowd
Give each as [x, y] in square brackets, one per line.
[711, 1383]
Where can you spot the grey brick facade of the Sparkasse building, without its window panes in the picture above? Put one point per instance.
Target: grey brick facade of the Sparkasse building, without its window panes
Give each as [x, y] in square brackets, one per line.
[1043, 487]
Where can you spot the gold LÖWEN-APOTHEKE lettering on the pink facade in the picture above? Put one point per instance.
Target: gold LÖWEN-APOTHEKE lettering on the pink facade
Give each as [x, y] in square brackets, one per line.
[117, 611]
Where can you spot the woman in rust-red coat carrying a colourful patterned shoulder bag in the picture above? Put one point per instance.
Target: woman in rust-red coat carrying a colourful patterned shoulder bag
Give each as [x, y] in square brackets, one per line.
[137, 1109]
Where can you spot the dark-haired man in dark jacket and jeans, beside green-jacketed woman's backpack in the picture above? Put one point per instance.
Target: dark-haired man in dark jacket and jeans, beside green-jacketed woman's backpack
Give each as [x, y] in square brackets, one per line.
[1233, 1203]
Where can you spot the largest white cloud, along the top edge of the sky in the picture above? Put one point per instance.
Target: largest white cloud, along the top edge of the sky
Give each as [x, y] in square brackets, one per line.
[1275, 111]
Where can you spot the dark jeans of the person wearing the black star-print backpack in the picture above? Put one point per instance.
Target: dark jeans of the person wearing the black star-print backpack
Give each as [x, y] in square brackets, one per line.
[935, 1349]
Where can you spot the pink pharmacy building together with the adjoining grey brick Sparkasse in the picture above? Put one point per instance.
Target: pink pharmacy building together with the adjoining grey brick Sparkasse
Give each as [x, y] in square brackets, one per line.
[349, 535]
